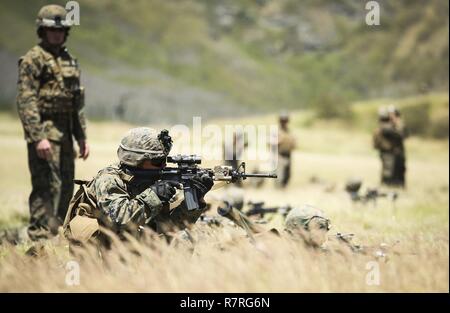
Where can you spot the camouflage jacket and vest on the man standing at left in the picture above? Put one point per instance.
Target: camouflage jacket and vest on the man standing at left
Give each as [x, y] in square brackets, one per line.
[50, 99]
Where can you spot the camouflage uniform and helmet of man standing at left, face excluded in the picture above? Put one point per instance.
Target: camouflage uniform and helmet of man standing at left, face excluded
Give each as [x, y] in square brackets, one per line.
[50, 101]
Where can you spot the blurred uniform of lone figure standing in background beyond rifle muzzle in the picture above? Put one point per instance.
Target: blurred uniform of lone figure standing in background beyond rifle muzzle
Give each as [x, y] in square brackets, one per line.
[286, 144]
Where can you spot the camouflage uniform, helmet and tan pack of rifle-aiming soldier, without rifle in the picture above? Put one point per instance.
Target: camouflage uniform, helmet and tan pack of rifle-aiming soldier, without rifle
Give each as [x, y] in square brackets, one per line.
[121, 203]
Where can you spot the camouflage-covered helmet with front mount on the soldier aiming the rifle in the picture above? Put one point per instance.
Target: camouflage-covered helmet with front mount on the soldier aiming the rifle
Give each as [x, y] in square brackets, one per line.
[143, 143]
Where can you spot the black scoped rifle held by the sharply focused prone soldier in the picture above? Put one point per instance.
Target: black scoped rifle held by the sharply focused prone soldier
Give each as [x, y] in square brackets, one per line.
[187, 168]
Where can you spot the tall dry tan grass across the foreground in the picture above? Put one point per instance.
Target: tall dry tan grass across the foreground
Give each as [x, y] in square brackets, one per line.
[224, 261]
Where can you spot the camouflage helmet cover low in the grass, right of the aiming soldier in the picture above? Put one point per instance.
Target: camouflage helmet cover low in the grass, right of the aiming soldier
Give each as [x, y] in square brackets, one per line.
[301, 217]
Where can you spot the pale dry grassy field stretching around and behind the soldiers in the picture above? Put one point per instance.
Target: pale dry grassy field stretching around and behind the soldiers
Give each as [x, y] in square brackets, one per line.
[416, 226]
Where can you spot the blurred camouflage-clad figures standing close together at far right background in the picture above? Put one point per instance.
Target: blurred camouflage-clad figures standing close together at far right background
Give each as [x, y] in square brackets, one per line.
[388, 140]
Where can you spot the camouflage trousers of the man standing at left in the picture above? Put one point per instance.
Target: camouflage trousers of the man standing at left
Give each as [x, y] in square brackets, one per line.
[52, 188]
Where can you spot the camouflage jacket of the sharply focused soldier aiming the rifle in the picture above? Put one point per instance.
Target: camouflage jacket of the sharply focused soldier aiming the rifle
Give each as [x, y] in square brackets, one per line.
[128, 203]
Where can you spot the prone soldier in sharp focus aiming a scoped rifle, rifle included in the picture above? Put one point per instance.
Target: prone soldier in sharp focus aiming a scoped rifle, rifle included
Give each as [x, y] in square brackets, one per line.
[140, 192]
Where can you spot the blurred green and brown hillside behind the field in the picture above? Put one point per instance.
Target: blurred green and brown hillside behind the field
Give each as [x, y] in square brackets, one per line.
[166, 61]
